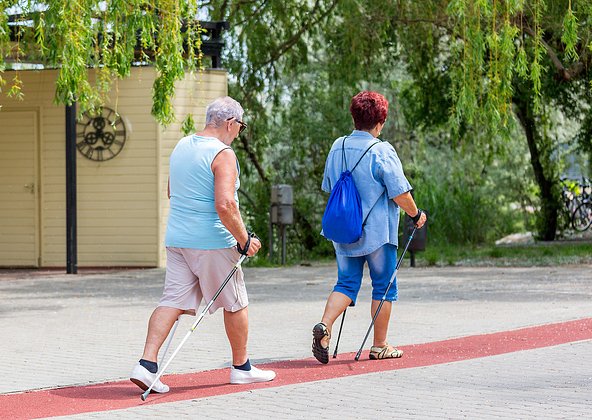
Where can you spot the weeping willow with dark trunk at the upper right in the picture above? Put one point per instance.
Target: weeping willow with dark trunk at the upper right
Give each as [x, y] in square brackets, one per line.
[496, 61]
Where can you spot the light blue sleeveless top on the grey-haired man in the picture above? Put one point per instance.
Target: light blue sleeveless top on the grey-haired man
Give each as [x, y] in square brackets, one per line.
[193, 221]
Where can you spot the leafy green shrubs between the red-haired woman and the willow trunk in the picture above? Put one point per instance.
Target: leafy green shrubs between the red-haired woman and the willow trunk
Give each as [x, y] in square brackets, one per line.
[471, 201]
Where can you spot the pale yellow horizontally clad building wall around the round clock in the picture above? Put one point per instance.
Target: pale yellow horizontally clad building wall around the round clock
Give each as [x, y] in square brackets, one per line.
[122, 202]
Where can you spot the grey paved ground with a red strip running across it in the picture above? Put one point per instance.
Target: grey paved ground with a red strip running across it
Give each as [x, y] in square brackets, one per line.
[62, 331]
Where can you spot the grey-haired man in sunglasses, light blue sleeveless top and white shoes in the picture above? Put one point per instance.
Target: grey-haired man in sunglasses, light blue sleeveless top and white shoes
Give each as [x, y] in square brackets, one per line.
[204, 240]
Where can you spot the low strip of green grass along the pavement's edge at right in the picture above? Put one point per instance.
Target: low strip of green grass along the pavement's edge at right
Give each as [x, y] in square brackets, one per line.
[542, 253]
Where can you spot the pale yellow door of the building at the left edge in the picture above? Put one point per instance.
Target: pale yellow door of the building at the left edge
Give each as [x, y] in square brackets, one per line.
[18, 189]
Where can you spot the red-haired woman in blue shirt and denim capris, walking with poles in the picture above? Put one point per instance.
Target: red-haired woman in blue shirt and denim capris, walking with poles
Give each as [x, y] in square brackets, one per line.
[383, 189]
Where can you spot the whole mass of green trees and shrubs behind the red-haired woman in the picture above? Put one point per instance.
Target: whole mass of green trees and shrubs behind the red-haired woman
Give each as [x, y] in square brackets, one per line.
[454, 73]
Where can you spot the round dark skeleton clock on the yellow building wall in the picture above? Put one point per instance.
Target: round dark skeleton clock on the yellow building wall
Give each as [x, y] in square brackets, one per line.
[100, 136]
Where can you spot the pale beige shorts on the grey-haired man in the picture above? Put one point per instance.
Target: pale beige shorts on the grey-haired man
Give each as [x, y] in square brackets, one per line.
[195, 274]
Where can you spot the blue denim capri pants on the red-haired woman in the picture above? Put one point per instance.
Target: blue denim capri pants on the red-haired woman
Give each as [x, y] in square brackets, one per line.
[381, 263]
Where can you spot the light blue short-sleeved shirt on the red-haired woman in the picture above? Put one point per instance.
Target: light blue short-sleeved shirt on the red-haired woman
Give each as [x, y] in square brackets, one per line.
[379, 178]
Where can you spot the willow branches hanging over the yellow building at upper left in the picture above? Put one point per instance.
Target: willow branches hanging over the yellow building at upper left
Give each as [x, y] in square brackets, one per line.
[107, 35]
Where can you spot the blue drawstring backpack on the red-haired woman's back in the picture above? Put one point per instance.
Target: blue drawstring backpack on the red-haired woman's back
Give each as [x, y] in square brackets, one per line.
[342, 220]
